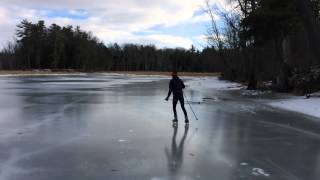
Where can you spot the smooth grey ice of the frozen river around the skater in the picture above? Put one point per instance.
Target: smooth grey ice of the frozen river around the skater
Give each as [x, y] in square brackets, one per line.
[97, 127]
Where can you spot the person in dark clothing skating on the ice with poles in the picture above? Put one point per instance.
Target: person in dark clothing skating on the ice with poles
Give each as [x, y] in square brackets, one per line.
[176, 86]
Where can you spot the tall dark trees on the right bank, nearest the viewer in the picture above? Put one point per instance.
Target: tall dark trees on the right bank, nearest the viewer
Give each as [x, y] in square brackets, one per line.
[270, 40]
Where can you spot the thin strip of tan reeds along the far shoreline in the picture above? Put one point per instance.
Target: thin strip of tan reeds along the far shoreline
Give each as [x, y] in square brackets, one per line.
[74, 72]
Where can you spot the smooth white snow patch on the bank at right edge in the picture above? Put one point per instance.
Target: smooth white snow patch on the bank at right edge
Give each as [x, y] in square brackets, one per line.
[309, 106]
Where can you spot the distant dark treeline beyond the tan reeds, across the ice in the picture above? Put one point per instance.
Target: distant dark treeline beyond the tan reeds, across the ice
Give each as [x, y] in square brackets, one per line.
[56, 47]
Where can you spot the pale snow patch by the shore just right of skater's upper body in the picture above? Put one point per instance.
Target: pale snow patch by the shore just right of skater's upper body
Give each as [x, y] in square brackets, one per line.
[212, 82]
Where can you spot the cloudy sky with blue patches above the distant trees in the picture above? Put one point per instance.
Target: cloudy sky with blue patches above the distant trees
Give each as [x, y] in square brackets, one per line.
[164, 23]
